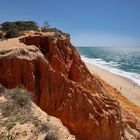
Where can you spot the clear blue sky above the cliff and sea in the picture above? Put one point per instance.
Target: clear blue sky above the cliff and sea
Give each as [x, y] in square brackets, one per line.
[90, 22]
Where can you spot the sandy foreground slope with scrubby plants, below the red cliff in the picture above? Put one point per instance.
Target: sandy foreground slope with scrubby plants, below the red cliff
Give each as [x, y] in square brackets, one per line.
[20, 118]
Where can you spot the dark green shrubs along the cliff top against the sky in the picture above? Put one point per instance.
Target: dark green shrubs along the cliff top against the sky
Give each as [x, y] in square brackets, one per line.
[16, 28]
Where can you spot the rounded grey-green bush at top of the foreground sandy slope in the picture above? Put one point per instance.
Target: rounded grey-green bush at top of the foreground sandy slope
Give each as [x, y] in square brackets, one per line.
[21, 97]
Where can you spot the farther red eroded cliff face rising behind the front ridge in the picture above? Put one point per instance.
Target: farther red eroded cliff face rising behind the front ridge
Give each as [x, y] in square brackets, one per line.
[63, 58]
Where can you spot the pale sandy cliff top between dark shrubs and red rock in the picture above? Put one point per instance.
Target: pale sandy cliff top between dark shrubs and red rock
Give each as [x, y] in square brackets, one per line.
[15, 47]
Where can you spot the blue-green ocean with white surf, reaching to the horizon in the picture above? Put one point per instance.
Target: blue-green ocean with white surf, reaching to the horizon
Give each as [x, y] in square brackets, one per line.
[121, 61]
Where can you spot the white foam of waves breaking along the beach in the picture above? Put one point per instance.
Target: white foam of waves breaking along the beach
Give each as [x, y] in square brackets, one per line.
[112, 67]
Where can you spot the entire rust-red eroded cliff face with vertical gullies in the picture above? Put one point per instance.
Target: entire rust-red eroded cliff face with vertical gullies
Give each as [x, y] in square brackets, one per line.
[62, 86]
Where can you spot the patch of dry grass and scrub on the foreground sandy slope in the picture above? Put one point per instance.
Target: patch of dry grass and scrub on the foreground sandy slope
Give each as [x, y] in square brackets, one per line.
[17, 110]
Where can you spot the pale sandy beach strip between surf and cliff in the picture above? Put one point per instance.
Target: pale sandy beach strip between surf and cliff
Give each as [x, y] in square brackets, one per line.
[123, 85]
